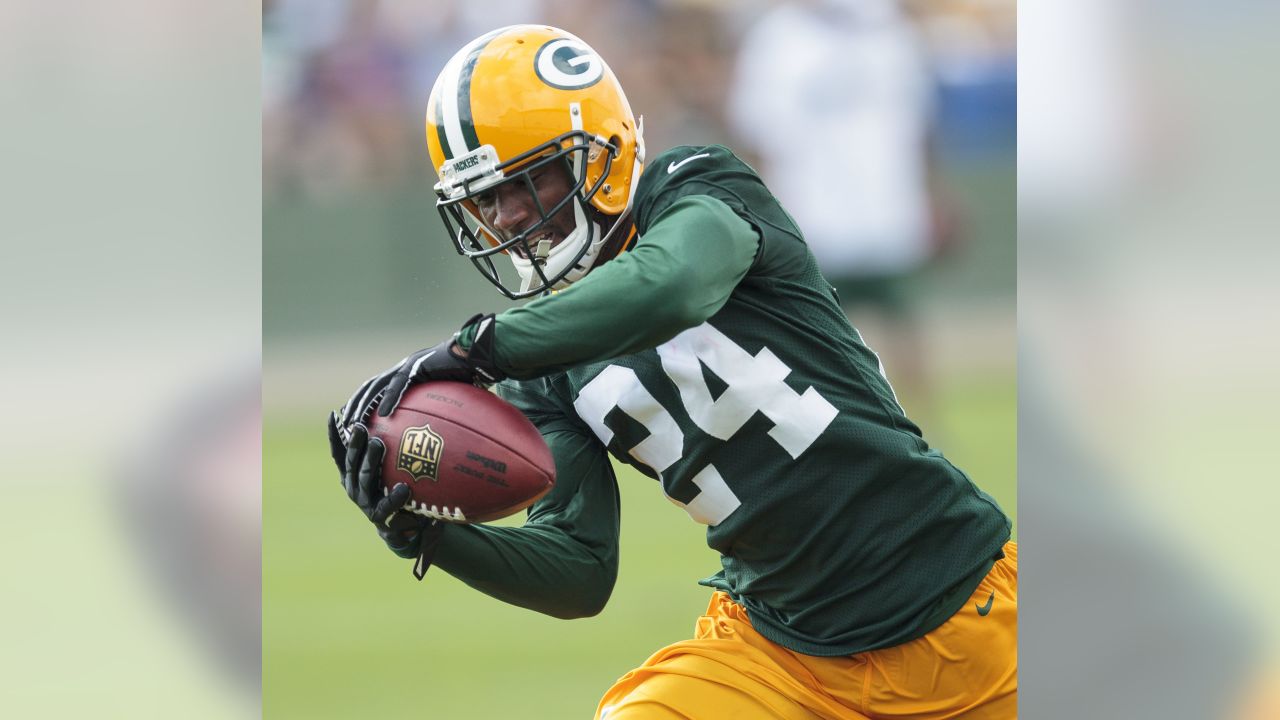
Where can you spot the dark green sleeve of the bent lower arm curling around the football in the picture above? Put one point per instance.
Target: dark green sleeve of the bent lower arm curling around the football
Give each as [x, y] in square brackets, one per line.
[564, 560]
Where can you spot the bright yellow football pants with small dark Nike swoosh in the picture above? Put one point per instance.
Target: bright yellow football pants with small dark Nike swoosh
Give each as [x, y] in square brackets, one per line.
[967, 668]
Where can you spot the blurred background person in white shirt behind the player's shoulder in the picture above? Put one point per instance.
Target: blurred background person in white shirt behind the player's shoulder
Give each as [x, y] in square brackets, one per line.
[835, 99]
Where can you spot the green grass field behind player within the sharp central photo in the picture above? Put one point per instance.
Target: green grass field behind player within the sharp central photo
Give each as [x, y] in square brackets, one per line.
[349, 632]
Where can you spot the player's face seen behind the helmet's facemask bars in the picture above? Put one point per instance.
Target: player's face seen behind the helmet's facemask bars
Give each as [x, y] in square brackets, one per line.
[511, 209]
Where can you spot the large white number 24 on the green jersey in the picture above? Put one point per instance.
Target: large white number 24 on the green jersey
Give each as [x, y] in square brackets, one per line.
[756, 384]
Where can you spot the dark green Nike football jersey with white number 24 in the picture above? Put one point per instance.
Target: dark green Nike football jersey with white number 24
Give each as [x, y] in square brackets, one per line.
[715, 359]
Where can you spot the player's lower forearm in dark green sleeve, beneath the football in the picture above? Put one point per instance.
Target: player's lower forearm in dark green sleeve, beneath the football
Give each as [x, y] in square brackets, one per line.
[533, 567]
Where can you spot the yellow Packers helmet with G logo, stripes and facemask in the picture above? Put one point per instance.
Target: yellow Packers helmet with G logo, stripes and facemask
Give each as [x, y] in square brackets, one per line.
[510, 103]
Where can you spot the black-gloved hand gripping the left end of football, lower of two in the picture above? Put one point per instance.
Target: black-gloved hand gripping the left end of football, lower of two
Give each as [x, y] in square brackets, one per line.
[360, 464]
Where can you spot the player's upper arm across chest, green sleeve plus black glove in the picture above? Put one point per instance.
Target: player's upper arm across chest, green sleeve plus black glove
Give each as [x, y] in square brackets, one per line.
[680, 274]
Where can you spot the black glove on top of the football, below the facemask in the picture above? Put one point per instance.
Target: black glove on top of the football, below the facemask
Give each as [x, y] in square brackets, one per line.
[440, 363]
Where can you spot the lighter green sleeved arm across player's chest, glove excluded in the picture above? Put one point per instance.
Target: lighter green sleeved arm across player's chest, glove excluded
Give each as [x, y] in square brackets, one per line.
[679, 275]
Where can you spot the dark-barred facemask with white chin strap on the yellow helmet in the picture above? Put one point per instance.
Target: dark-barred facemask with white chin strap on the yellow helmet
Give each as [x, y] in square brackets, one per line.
[537, 267]
